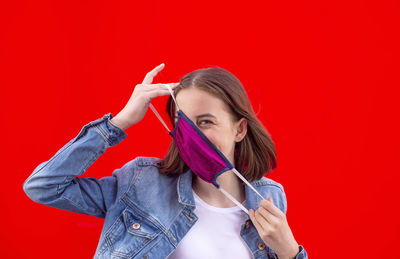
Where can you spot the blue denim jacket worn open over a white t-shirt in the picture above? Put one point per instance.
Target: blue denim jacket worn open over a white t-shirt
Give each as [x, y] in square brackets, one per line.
[146, 214]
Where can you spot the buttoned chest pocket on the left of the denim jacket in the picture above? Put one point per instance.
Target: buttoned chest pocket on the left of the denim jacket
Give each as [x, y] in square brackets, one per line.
[130, 233]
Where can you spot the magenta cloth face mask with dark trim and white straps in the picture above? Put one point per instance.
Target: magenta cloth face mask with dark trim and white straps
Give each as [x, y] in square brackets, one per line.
[201, 156]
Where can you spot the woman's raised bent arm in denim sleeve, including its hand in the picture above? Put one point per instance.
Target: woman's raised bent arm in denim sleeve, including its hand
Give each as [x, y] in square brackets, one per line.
[56, 183]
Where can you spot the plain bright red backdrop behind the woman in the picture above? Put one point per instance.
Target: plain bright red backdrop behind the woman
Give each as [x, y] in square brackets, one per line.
[322, 76]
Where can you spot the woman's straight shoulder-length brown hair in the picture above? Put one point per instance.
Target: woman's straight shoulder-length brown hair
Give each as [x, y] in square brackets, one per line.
[255, 155]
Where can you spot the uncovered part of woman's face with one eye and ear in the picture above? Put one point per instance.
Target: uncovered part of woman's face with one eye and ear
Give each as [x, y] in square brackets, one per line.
[212, 116]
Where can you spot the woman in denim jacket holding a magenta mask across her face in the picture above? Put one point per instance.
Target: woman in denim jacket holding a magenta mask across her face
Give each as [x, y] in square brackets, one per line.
[159, 208]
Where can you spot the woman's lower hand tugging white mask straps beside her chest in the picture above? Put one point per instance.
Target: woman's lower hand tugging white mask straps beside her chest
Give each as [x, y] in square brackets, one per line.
[274, 230]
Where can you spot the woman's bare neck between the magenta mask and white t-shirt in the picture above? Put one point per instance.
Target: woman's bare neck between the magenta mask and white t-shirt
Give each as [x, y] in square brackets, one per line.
[211, 195]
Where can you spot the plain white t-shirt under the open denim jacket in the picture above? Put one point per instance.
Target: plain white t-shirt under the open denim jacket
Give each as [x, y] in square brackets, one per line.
[215, 235]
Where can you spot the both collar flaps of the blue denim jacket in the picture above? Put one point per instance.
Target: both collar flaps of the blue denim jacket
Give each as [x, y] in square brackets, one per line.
[185, 192]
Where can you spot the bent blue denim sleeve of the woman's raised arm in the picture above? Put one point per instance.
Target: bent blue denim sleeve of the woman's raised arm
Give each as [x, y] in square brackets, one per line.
[56, 183]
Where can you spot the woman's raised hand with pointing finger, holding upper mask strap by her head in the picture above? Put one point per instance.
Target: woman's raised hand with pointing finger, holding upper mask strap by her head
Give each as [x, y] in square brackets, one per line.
[136, 108]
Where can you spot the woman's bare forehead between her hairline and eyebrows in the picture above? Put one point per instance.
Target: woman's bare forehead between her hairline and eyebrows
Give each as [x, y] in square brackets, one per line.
[193, 101]
